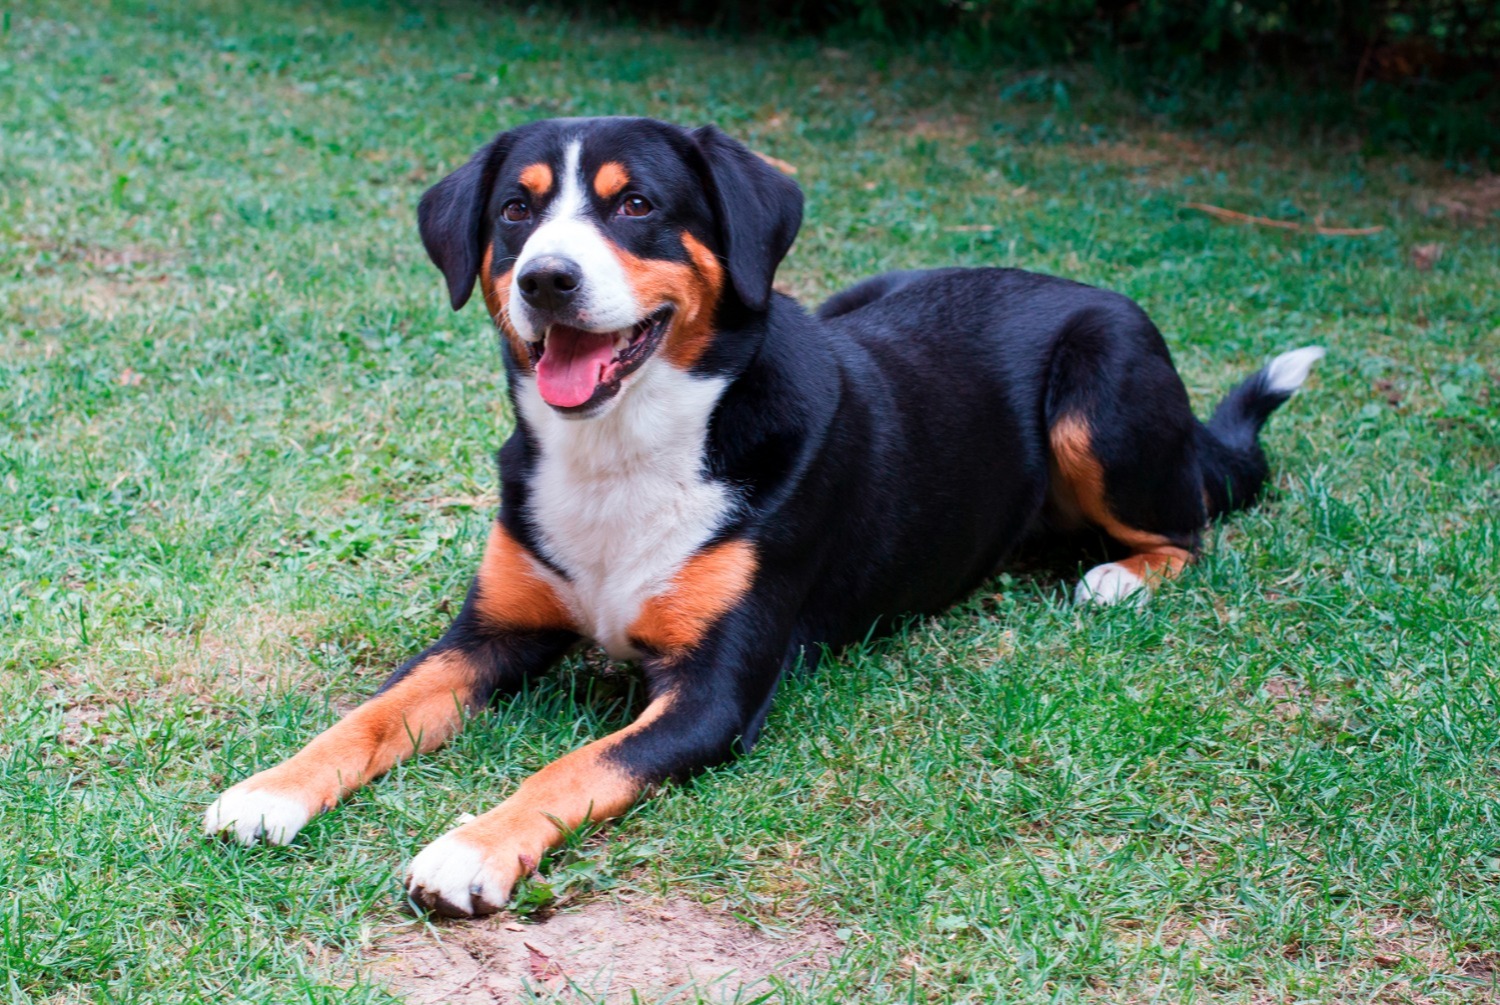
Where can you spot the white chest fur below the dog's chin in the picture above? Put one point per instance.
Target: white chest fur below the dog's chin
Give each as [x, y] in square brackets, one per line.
[622, 502]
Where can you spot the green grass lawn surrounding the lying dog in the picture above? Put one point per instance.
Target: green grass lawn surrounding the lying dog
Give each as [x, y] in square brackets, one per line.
[247, 460]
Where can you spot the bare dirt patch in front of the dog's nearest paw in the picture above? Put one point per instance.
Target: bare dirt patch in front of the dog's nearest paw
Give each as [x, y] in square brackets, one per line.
[605, 952]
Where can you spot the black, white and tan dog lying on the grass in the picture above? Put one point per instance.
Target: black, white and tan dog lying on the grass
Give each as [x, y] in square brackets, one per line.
[715, 482]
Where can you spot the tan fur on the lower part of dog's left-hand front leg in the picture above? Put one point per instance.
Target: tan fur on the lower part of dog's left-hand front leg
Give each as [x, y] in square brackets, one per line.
[418, 715]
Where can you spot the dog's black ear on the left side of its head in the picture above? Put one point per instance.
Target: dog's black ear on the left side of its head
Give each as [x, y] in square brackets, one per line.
[452, 215]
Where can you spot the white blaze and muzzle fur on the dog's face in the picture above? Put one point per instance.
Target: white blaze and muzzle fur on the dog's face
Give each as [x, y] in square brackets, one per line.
[607, 301]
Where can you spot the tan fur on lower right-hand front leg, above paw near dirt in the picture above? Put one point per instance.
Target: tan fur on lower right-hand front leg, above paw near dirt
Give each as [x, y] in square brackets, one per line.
[574, 790]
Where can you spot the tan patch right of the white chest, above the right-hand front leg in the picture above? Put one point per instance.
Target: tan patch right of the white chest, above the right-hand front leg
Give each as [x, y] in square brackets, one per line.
[703, 592]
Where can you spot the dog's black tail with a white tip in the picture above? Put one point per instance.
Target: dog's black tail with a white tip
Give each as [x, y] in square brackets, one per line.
[1234, 464]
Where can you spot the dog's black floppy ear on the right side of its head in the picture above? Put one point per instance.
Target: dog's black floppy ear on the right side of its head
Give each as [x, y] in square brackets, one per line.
[760, 211]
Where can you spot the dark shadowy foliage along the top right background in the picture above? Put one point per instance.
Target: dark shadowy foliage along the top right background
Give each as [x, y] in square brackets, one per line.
[1403, 74]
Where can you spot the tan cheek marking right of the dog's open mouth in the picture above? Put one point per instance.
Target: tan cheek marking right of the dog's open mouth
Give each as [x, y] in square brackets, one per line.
[692, 287]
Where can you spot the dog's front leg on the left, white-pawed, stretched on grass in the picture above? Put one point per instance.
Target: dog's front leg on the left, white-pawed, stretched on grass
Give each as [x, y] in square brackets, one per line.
[511, 628]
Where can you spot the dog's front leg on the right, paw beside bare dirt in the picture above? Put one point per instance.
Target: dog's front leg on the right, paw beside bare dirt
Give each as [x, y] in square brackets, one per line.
[707, 701]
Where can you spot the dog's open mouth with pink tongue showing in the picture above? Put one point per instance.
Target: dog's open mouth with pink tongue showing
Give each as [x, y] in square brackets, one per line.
[578, 370]
